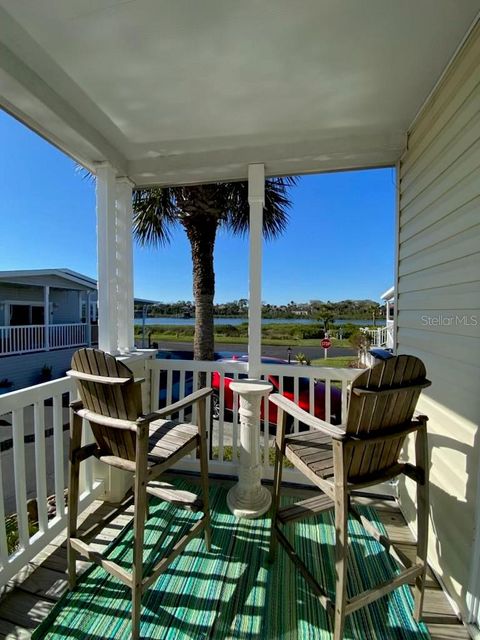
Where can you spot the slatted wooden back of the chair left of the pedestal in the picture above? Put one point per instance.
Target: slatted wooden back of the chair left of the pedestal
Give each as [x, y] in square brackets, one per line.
[115, 401]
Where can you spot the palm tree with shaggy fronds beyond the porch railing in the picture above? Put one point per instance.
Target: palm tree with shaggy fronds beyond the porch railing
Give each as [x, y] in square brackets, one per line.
[201, 210]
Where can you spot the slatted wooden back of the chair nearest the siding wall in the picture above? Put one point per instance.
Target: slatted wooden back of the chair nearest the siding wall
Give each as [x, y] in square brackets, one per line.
[382, 400]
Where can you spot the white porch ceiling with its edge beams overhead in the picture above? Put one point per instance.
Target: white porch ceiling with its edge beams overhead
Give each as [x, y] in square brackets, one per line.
[178, 92]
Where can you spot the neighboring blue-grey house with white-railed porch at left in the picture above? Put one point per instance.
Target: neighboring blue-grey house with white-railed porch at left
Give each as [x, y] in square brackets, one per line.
[45, 314]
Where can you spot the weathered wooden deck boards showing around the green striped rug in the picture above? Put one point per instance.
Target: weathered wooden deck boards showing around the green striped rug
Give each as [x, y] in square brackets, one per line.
[27, 599]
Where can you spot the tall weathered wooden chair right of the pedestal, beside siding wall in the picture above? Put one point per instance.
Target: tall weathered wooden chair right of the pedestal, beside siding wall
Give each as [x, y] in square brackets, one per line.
[361, 453]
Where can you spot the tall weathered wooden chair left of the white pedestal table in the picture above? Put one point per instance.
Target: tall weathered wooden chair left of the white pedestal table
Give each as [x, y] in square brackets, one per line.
[146, 445]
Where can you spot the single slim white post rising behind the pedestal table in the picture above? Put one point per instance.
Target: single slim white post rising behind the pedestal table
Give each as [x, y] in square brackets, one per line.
[256, 201]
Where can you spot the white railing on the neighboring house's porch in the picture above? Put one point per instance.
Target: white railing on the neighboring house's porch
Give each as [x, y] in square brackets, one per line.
[30, 338]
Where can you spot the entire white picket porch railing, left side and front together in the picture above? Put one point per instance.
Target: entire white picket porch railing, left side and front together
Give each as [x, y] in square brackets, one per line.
[33, 452]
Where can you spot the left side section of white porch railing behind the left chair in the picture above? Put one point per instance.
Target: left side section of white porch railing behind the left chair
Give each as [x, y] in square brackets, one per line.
[33, 462]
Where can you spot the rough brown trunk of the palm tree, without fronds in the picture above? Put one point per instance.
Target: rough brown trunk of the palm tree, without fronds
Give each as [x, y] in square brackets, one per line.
[202, 242]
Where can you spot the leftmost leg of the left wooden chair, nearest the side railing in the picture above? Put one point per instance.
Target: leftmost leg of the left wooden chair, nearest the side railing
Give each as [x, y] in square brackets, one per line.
[73, 491]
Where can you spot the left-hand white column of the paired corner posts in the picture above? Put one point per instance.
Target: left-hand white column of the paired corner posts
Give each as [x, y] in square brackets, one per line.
[107, 260]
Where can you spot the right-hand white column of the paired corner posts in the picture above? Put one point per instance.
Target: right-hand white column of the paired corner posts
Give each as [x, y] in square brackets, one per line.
[126, 342]
